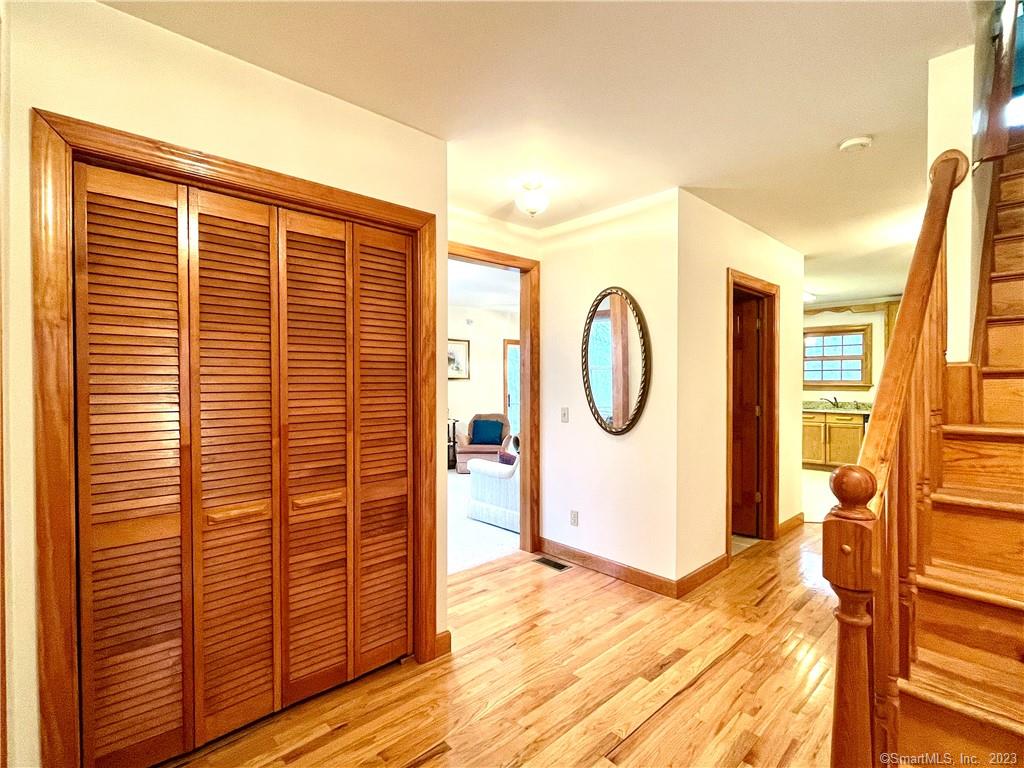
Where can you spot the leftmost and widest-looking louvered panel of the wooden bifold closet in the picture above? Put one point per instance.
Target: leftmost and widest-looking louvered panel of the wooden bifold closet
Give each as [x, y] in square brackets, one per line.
[132, 326]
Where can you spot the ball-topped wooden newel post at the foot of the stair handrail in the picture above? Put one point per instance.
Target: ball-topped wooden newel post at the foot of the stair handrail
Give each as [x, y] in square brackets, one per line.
[847, 565]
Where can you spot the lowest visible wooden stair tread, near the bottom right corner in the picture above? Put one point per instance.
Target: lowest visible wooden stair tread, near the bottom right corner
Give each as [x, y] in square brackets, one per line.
[960, 685]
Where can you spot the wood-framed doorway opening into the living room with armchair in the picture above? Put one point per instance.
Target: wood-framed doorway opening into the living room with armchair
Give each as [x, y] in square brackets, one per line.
[494, 395]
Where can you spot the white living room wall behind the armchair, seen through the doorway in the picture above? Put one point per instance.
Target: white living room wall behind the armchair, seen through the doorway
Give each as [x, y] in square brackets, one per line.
[484, 392]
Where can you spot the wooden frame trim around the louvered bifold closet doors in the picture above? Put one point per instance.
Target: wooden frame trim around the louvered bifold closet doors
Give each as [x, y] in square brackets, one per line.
[57, 143]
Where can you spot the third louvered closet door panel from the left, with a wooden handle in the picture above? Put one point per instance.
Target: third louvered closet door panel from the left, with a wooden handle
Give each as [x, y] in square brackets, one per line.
[316, 357]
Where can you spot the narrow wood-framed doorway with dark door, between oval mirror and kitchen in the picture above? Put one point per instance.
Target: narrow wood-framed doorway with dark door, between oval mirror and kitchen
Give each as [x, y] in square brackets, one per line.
[752, 483]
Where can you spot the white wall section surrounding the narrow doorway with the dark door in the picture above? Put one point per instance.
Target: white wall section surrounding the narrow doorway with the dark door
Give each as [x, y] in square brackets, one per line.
[710, 243]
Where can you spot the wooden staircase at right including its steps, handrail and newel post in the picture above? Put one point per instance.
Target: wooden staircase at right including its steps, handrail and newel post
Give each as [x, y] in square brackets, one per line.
[926, 548]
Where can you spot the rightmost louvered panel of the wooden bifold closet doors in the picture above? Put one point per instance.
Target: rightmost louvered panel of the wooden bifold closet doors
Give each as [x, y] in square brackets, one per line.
[383, 448]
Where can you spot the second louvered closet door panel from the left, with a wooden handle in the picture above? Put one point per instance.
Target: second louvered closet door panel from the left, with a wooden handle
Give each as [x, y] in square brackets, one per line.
[234, 275]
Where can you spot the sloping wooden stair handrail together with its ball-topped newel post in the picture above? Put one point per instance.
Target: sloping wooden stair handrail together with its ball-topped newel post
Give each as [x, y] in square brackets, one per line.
[849, 530]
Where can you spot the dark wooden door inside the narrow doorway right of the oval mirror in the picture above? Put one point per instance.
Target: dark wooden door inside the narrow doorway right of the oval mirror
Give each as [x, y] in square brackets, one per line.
[746, 413]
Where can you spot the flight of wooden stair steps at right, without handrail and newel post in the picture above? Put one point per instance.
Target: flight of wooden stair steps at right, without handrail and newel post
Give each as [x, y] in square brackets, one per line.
[965, 688]
